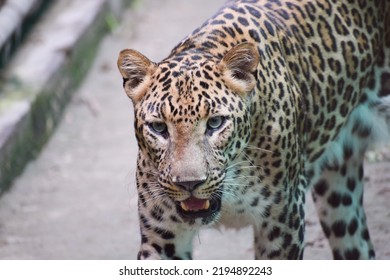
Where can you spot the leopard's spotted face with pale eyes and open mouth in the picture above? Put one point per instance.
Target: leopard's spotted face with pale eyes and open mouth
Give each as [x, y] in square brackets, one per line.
[192, 121]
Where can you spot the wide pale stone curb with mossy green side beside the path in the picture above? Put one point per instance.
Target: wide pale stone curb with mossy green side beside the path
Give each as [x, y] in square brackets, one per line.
[42, 76]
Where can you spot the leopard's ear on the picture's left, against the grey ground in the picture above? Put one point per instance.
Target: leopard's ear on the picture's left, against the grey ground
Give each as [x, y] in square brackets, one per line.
[136, 70]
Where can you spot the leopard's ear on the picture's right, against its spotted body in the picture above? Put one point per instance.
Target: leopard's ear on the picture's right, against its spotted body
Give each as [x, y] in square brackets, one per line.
[238, 67]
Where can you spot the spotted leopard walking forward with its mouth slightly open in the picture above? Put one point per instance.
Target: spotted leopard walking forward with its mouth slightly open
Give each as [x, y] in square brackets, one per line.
[266, 101]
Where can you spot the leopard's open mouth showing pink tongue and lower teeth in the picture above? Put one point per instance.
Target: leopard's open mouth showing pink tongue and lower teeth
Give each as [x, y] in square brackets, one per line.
[198, 208]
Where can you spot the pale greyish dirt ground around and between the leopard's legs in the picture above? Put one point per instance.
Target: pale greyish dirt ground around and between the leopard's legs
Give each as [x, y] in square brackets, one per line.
[77, 200]
